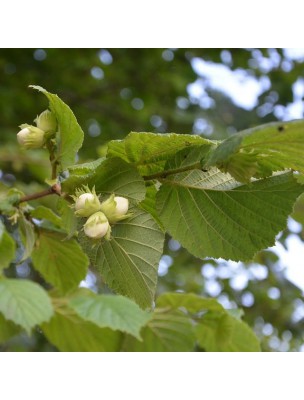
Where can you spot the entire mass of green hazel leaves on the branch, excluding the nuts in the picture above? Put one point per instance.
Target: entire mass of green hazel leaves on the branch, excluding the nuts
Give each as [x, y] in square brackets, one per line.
[218, 199]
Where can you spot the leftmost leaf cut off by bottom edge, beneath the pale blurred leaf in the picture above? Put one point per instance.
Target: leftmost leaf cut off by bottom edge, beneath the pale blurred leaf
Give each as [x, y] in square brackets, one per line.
[68, 332]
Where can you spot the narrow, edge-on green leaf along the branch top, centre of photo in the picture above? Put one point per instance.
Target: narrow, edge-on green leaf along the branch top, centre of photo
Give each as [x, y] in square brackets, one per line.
[149, 152]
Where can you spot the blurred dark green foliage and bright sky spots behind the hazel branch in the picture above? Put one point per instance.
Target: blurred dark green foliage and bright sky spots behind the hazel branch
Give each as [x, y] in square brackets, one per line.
[208, 92]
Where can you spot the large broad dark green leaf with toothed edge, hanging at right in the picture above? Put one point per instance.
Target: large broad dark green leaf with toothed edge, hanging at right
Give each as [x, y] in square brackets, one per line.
[212, 215]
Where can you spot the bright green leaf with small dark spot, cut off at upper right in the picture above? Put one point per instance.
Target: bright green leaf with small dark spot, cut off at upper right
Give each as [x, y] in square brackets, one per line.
[260, 151]
